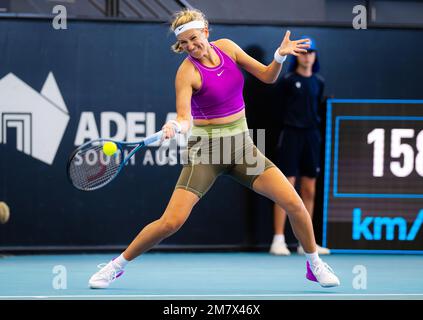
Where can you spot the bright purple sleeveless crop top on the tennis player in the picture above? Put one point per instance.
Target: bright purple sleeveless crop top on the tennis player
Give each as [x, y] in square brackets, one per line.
[220, 94]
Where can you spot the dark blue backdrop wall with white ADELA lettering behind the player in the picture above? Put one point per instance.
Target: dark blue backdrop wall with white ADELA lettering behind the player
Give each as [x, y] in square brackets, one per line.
[59, 87]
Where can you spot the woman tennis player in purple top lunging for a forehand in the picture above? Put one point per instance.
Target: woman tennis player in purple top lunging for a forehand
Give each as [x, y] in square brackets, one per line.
[209, 88]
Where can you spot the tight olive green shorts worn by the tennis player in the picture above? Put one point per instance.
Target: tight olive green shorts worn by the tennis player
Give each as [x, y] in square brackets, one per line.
[216, 150]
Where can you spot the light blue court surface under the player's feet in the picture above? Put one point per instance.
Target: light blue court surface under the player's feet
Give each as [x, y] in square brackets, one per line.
[215, 276]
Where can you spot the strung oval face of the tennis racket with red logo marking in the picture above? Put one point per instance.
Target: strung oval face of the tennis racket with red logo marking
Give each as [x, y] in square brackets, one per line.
[90, 168]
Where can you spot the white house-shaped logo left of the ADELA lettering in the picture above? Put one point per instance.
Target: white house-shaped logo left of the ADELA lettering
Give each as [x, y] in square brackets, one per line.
[38, 118]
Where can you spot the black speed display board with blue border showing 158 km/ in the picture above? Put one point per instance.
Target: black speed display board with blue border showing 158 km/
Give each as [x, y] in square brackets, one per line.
[373, 178]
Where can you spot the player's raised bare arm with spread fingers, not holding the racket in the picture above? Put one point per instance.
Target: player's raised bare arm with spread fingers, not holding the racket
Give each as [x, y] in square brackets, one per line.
[270, 73]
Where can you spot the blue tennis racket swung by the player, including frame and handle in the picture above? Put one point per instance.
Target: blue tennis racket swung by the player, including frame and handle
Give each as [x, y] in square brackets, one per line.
[89, 168]
